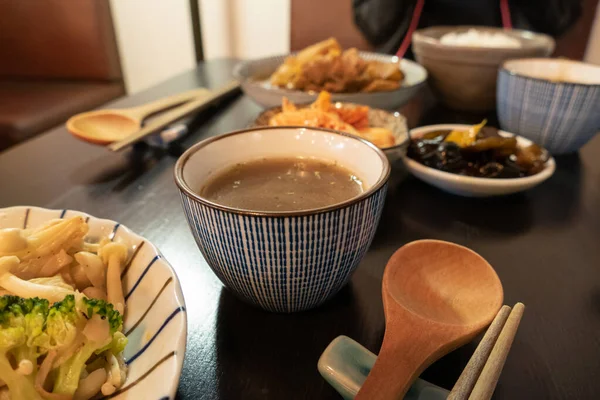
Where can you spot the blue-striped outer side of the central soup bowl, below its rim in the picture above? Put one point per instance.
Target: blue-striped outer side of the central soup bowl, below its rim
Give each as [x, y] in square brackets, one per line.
[285, 264]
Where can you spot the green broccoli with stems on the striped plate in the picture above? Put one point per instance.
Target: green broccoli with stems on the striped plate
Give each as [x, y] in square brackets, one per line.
[29, 328]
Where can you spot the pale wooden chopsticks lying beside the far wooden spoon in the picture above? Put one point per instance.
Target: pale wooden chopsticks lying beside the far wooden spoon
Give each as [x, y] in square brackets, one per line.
[176, 114]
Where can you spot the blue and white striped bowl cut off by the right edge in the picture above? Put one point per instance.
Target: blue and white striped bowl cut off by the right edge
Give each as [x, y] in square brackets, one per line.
[553, 102]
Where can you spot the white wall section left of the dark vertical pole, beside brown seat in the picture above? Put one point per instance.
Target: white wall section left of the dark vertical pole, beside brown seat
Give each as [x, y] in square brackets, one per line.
[155, 40]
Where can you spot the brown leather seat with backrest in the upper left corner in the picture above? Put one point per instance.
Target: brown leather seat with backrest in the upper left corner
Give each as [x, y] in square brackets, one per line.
[58, 58]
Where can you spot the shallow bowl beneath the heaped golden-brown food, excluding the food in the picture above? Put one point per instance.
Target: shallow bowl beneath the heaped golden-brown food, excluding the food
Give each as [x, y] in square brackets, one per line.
[254, 77]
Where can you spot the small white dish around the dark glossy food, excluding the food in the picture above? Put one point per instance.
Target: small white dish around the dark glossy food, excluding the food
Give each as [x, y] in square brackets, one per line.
[472, 186]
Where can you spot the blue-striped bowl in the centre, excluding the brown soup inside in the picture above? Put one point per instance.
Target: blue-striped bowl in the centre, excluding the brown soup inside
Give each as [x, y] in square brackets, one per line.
[283, 261]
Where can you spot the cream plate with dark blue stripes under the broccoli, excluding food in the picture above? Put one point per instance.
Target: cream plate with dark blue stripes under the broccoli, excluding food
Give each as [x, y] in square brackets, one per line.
[156, 320]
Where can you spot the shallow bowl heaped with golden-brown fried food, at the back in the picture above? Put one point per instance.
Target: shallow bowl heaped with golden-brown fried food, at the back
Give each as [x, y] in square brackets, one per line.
[389, 83]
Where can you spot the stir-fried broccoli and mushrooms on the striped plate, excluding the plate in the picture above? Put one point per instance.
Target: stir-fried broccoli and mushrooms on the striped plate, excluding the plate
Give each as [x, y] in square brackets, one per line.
[61, 313]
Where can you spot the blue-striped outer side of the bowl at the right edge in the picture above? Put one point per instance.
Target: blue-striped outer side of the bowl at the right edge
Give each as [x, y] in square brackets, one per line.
[562, 117]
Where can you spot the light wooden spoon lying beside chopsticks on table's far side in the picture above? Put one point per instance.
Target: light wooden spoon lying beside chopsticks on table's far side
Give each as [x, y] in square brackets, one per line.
[107, 126]
